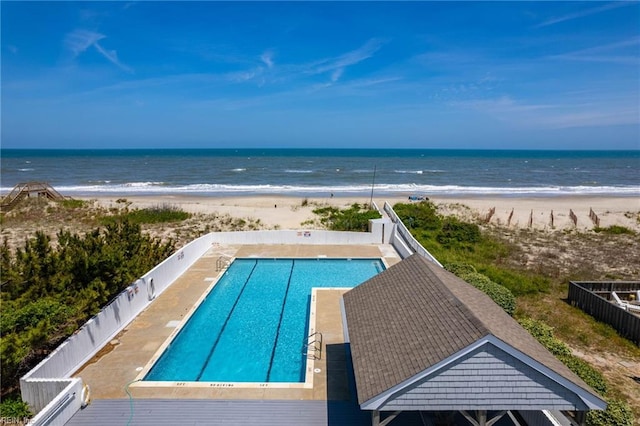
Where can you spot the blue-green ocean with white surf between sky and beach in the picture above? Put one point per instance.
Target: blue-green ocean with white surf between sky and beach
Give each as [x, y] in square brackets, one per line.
[316, 172]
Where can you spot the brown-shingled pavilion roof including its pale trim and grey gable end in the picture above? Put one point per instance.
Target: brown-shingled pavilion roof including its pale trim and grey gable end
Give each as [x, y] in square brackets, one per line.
[415, 317]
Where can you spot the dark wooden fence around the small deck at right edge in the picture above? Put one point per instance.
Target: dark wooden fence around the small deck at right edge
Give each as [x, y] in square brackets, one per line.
[594, 299]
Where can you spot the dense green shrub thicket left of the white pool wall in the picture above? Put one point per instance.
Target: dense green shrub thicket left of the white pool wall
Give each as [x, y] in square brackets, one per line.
[48, 289]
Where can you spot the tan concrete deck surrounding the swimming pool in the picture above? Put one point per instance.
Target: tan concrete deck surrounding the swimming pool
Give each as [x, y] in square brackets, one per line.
[113, 371]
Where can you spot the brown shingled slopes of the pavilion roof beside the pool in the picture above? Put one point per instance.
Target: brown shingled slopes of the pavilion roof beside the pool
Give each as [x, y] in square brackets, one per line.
[416, 314]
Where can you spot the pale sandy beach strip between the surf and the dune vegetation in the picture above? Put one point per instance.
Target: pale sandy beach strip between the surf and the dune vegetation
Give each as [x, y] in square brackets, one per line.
[284, 212]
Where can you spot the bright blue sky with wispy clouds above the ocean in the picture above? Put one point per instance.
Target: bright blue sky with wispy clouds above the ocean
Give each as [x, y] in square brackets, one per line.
[516, 75]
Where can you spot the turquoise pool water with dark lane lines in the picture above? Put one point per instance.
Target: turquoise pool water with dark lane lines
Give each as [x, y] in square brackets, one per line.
[252, 325]
